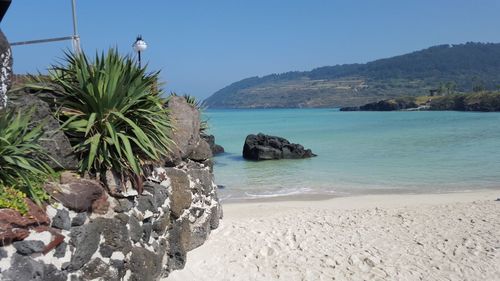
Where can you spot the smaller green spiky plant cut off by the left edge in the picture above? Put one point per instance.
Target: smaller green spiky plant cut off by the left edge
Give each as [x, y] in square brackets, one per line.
[22, 168]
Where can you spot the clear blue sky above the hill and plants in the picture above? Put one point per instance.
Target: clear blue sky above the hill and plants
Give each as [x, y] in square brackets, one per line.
[203, 46]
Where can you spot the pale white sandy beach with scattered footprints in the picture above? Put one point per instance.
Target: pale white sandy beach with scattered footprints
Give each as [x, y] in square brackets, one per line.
[379, 237]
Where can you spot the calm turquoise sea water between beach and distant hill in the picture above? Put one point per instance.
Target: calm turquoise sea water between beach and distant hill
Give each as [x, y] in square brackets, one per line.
[359, 152]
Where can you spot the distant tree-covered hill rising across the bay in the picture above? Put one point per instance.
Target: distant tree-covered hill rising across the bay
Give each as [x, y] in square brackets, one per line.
[454, 68]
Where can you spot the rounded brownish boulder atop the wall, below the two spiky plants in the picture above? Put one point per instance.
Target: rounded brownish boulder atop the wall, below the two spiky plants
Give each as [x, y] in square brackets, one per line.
[78, 195]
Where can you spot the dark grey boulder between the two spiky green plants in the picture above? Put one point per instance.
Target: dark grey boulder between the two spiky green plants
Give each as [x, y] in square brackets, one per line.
[53, 140]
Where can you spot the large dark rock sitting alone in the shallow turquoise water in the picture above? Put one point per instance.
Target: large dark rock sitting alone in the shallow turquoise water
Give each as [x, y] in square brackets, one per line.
[265, 147]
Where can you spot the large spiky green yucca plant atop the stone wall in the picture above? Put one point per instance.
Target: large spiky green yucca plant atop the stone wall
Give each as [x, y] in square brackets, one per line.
[112, 112]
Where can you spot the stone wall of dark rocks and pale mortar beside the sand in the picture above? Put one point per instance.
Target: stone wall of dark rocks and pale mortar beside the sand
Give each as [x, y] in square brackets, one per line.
[86, 234]
